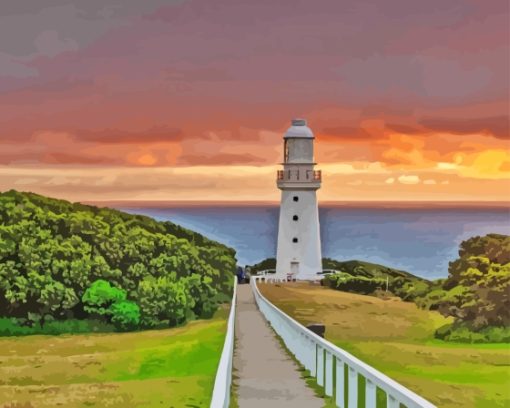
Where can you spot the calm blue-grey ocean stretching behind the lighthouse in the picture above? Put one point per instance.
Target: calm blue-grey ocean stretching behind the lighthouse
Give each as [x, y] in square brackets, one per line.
[418, 240]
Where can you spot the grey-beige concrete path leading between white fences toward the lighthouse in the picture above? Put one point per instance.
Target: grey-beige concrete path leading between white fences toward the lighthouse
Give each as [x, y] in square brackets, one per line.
[265, 375]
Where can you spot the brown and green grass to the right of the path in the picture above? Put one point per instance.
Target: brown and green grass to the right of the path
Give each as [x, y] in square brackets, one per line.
[397, 338]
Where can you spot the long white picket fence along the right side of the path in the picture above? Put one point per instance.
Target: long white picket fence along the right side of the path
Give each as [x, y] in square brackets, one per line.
[329, 363]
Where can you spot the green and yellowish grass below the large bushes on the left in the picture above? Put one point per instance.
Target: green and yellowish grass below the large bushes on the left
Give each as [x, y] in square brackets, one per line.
[156, 368]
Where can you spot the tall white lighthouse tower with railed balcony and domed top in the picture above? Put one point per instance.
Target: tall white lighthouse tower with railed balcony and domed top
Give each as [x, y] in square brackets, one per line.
[299, 248]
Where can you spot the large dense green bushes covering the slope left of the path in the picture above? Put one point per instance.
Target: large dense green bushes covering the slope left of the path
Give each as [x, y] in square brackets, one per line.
[60, 260]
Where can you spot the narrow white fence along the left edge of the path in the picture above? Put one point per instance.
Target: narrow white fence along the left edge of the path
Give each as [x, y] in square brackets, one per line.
[223, 381]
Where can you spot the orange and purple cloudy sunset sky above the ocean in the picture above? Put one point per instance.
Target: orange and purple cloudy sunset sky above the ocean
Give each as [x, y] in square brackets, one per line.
[189, 99]
